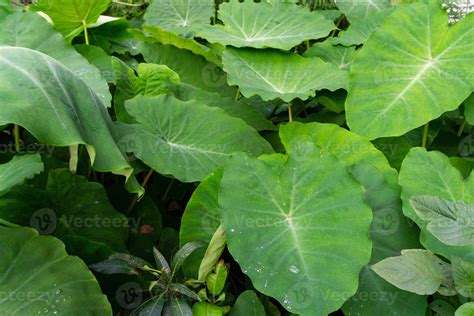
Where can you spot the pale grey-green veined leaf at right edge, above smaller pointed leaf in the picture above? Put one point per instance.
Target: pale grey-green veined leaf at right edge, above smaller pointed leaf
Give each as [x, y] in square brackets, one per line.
[450, 222]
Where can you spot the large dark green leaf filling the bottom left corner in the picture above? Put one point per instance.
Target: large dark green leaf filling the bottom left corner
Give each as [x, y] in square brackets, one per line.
[38, 277]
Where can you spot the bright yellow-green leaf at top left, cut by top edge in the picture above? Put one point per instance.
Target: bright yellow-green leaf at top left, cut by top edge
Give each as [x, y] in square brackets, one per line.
[70, 17]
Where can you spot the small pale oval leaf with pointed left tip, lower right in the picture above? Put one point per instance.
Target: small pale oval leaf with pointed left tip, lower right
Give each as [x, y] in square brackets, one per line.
[417, 271]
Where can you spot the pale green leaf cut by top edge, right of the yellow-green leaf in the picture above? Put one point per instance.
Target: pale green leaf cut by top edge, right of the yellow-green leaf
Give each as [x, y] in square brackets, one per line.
[179, 16]
